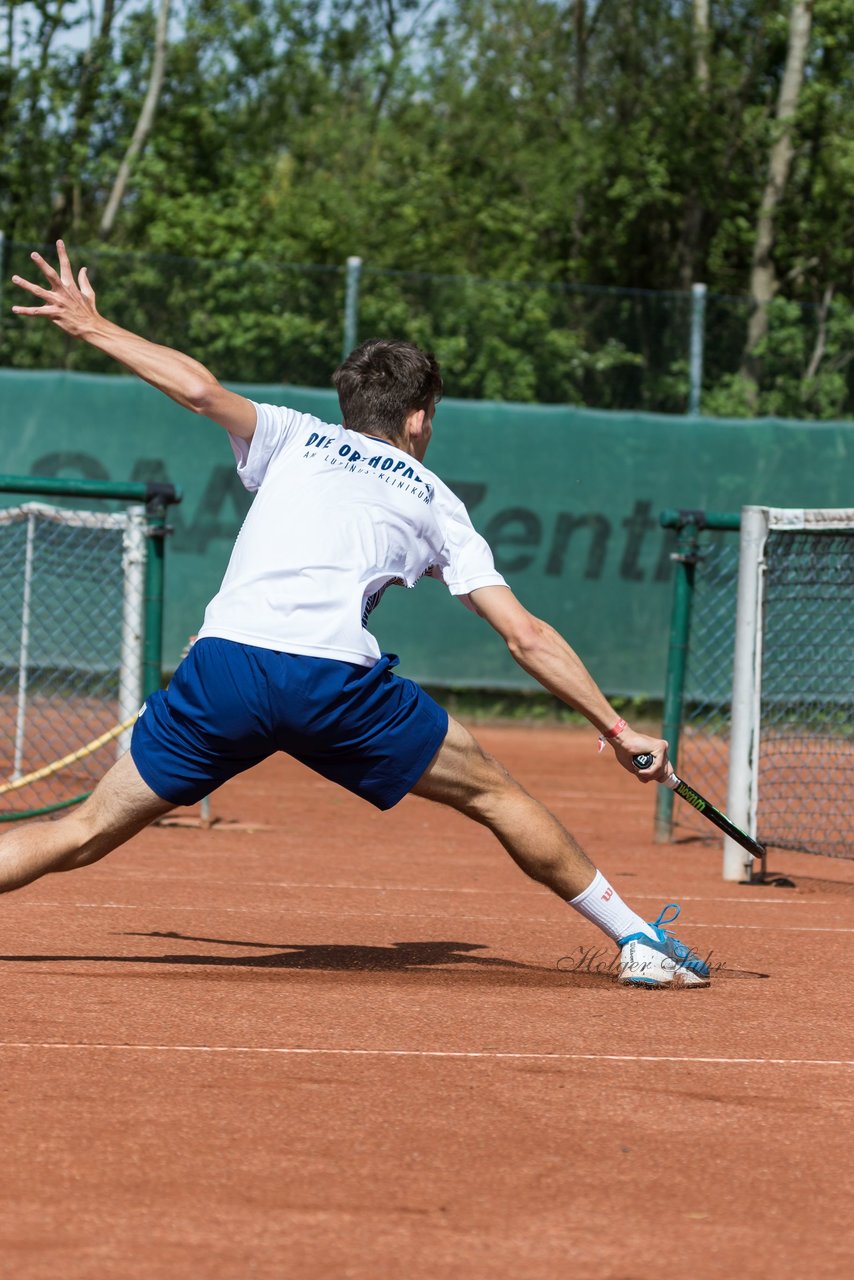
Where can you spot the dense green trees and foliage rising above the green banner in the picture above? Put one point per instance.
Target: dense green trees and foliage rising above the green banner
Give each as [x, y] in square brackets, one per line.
[501, 167]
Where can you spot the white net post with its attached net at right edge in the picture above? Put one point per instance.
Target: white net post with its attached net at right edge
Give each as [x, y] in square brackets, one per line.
[792, 747]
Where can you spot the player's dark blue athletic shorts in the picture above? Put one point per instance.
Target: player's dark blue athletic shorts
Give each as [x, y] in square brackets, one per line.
[230, 706]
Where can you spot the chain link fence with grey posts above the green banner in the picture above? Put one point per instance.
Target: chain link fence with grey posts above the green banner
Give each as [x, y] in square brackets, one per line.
[610, 349]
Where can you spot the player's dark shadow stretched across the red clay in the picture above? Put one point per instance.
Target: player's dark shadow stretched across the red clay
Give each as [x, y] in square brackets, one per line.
[400, 958]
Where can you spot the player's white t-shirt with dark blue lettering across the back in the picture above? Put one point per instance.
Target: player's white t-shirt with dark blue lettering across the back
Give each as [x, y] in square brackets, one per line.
[337, 518]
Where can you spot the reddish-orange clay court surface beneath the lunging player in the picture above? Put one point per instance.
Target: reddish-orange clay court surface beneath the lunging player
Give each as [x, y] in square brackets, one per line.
[326, 1043]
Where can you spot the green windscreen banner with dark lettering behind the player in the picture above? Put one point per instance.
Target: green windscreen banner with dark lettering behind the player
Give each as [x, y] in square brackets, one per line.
[569, 500]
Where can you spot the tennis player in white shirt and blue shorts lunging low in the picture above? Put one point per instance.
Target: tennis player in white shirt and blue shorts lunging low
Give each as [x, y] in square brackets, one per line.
[285, 661]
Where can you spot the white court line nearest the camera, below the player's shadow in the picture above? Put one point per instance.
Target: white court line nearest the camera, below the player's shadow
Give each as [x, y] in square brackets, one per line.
[486, 1055]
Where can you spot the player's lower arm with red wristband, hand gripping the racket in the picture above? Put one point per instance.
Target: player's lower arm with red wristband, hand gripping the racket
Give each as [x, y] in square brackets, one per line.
[549, 659]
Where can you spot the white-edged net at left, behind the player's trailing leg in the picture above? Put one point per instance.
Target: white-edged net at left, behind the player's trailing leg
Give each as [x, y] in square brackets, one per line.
[71, 648]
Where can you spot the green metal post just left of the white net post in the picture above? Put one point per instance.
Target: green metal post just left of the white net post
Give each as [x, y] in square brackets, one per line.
[681, 627]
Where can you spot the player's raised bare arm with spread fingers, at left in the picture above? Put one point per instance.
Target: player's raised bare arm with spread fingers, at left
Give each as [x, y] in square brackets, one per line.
[72, 308]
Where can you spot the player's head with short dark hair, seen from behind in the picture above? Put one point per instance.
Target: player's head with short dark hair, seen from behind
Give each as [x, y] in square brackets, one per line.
[385, 381]
